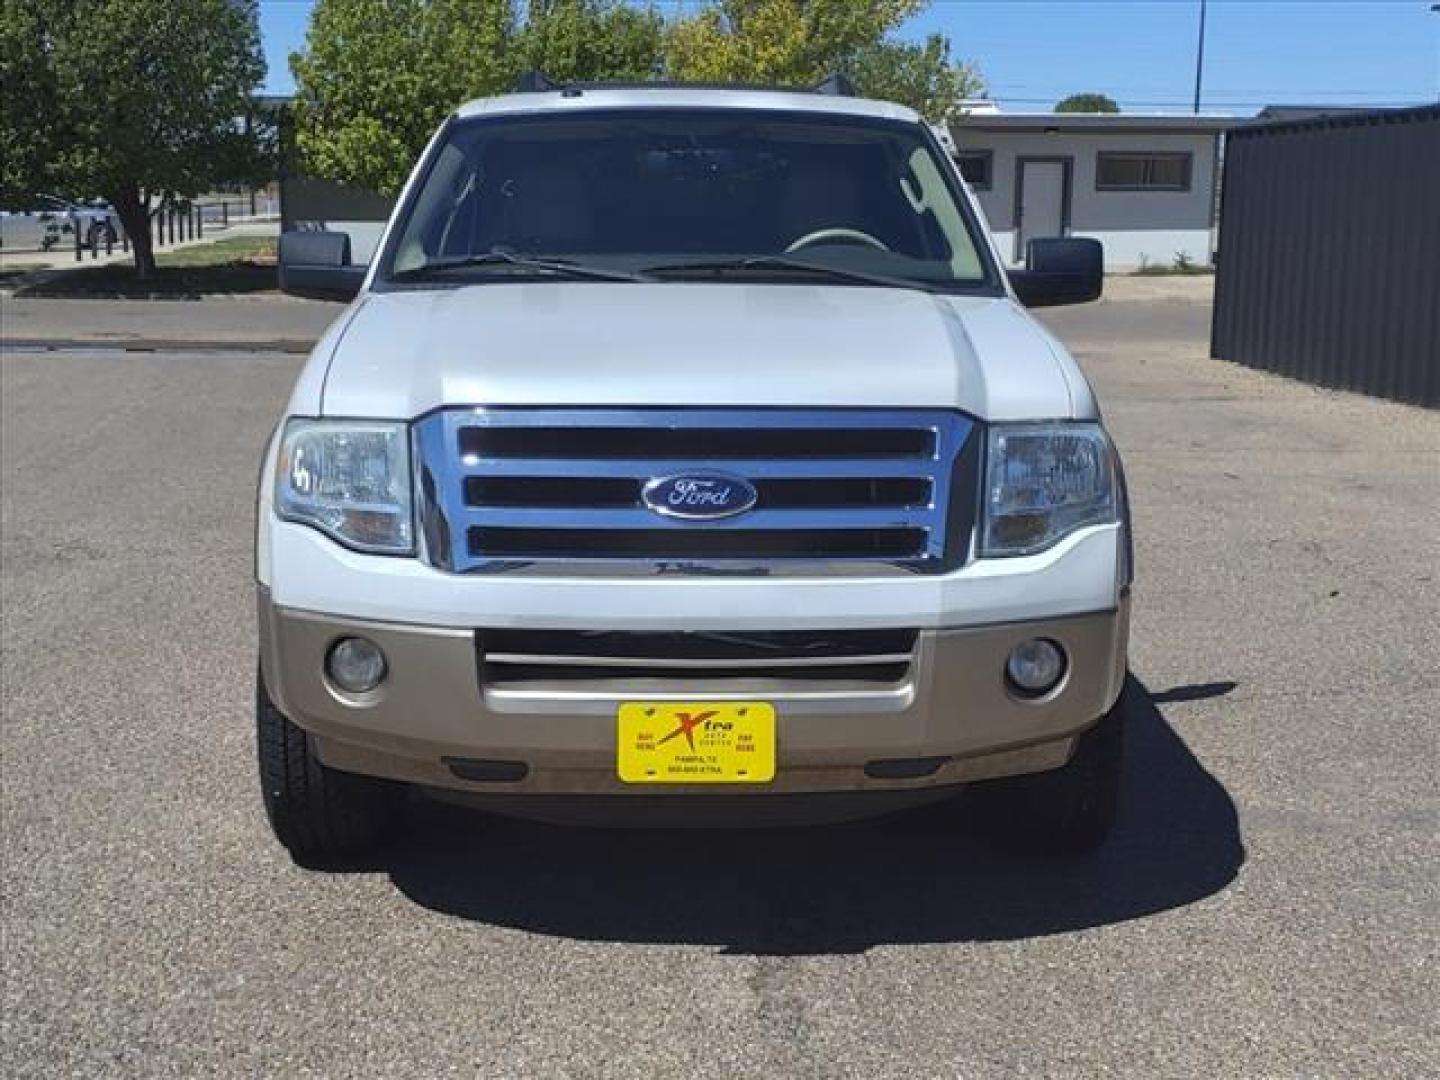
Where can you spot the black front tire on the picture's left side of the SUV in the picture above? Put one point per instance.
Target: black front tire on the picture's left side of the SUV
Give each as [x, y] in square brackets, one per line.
[316, 813]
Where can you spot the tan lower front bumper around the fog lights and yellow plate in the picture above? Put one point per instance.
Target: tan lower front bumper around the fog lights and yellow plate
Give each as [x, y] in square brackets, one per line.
[954, 705]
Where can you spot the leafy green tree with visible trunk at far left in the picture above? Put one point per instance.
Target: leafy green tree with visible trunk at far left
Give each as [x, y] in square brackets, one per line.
[138, 102]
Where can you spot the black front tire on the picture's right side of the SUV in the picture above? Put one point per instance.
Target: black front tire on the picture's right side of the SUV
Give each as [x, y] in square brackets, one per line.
[1068, 811]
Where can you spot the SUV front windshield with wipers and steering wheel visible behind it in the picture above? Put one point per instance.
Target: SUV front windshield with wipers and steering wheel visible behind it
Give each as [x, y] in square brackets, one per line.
[688, 194]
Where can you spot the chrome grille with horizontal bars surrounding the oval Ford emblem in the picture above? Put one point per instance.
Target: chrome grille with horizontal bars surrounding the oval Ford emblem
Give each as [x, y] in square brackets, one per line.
[503, 489]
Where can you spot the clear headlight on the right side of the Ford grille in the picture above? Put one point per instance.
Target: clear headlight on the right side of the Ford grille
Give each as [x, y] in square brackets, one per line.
[1043, 483]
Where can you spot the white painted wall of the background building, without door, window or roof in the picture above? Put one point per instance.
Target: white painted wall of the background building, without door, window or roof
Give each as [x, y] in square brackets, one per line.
[1134, 227]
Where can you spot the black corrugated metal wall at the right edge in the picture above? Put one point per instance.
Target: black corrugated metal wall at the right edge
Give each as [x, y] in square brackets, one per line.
[1330, 253]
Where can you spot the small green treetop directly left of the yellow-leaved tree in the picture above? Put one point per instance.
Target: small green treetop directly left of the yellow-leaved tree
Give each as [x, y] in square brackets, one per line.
[588, 41]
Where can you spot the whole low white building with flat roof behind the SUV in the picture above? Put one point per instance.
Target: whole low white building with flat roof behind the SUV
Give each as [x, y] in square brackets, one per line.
[1141, 185]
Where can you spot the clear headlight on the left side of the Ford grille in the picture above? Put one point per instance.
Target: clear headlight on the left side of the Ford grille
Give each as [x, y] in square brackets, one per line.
[351, 480]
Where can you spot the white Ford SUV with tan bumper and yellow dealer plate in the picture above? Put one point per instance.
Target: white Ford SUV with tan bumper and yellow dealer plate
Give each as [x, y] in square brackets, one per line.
[689, 456]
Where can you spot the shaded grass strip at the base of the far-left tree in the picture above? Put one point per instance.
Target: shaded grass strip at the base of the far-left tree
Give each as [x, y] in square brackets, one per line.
[230, 267]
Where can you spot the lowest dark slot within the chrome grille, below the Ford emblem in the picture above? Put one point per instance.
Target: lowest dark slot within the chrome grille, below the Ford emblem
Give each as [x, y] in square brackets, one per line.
[698, 544]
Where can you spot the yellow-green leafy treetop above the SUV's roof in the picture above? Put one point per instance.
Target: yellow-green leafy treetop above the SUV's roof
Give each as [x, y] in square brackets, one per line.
[783, 42]
